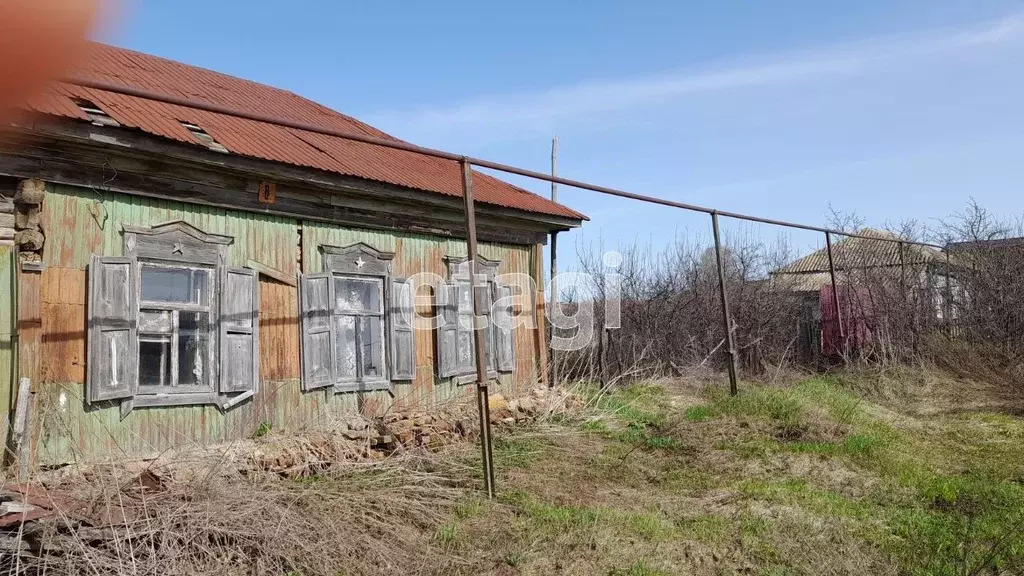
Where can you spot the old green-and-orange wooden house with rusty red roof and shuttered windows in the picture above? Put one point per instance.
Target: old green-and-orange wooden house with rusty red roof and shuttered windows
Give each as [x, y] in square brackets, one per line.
[185, 277]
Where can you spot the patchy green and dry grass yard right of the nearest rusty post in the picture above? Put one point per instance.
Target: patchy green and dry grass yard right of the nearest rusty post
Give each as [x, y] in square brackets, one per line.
[766, 473]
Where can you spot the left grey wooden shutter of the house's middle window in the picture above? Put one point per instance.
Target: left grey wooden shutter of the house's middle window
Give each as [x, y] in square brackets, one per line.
[317, 305]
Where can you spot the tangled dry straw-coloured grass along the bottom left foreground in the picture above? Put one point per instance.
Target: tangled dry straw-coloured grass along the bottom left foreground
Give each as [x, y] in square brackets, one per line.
[346, 520]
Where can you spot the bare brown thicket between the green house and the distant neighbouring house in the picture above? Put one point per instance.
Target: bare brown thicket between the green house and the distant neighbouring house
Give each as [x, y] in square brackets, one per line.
[671, 314]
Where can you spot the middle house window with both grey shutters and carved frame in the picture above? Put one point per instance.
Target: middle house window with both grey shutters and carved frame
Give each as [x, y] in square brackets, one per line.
[357, 322]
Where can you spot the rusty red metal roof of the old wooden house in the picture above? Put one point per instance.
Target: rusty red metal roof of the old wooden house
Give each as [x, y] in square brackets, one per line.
[268, 142]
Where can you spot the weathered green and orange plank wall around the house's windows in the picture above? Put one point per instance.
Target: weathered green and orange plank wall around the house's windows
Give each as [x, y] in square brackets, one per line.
[81, 222]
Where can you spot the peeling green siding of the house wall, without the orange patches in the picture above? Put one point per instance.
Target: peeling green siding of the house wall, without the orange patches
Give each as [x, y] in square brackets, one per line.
[81, 222]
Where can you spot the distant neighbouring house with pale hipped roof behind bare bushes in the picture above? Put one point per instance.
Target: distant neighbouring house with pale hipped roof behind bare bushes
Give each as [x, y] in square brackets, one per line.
[867, 273]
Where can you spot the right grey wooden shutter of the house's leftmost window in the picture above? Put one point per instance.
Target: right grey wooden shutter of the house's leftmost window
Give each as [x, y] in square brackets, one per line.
[239, 331]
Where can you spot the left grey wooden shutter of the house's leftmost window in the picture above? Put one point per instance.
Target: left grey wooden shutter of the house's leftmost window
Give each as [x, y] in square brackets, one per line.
[113, 344]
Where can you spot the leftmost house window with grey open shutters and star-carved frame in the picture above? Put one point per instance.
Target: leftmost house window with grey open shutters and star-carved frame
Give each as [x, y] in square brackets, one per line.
[170, 324]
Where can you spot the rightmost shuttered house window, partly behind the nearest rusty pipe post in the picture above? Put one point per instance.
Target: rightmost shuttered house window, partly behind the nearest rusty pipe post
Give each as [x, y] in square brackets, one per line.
[456, 345]
